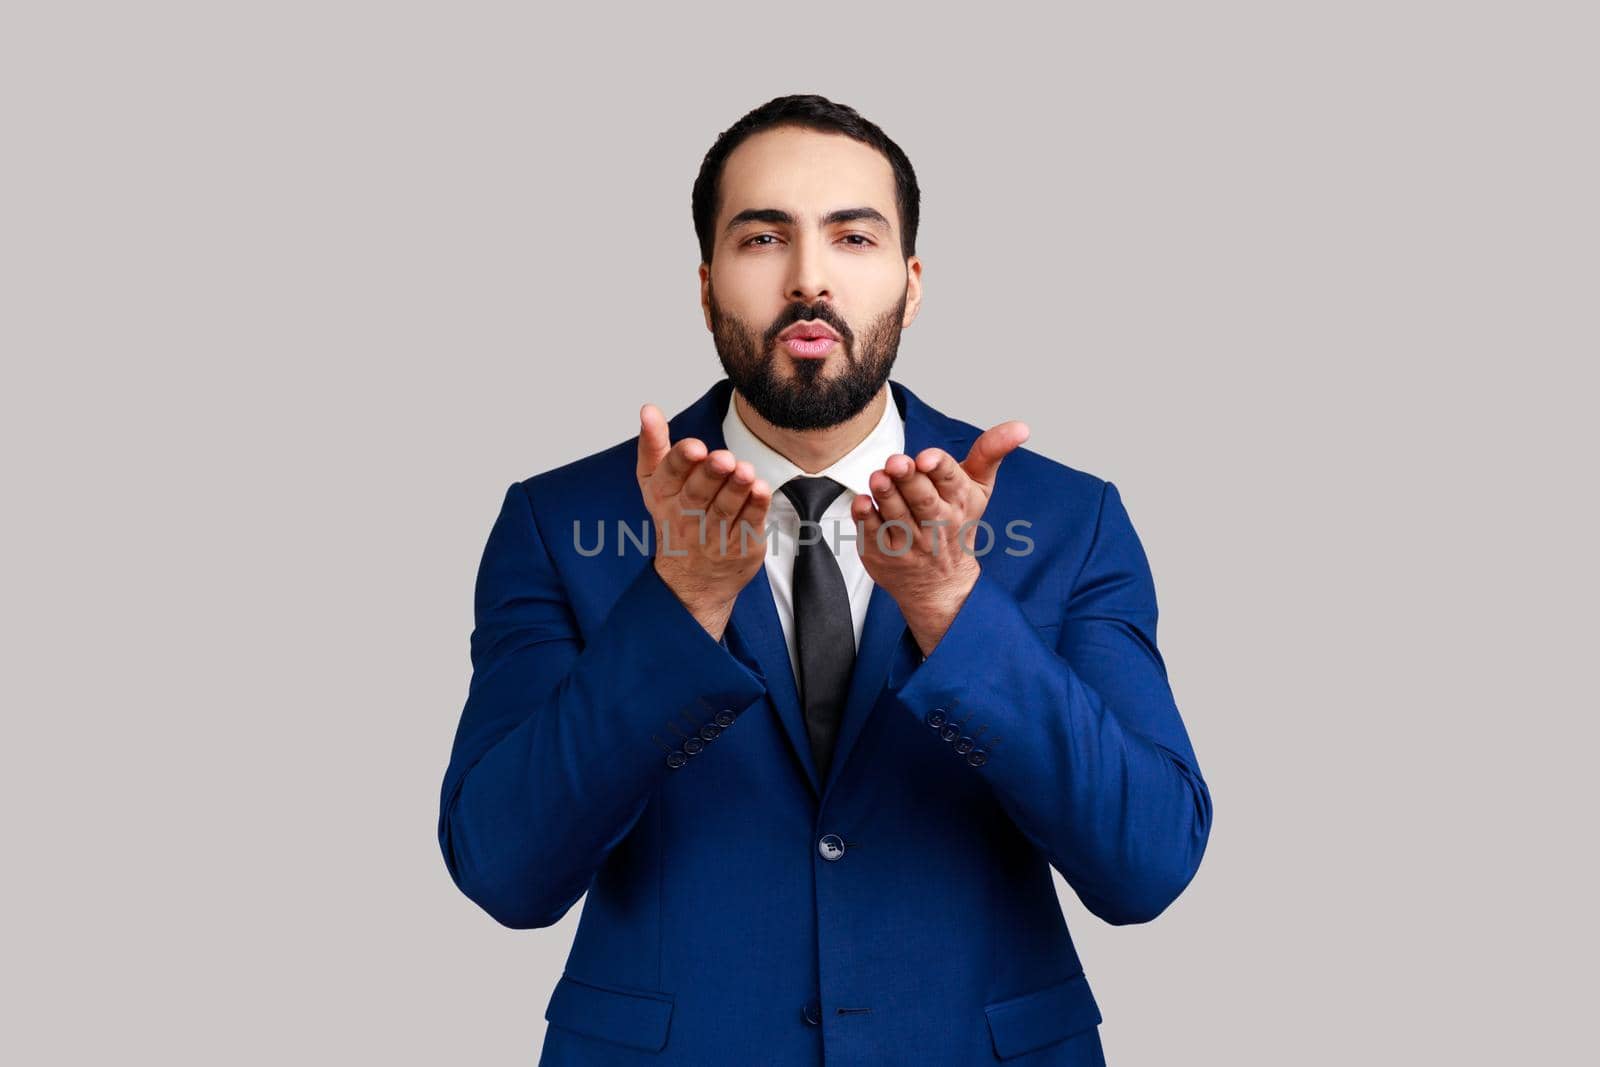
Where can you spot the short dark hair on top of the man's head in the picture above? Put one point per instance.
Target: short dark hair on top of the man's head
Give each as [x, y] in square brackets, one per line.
[814, 113]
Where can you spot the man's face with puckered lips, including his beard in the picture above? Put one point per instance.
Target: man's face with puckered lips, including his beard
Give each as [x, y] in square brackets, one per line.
[809, 234]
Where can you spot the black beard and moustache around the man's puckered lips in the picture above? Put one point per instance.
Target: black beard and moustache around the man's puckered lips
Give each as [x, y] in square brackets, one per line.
[807, 402]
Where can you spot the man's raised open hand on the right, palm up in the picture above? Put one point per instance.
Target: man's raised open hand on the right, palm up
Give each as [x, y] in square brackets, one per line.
[926, 562]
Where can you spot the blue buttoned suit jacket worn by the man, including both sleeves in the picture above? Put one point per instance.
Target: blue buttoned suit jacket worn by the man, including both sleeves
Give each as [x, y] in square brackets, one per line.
[740, 909]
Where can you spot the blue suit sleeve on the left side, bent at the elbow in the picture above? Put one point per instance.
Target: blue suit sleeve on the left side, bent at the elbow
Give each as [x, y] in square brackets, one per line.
[554, 757]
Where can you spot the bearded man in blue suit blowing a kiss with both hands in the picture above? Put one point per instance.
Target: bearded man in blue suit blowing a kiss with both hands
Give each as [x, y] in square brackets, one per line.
[815, 780]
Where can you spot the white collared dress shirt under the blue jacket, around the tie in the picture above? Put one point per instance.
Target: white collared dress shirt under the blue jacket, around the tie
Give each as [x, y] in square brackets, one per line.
[852, 471]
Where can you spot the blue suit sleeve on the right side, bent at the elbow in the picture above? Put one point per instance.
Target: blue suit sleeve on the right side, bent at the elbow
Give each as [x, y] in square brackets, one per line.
[1082, 743]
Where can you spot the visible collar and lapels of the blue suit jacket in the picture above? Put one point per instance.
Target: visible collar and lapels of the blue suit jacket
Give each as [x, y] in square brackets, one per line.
[754, 633]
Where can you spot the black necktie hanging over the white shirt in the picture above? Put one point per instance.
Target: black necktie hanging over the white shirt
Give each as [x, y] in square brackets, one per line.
[825, 631]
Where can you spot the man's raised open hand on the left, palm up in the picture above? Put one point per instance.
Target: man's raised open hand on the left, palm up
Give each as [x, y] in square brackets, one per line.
[698, 503]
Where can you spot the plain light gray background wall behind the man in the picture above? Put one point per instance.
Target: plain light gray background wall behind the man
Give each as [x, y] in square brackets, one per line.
[292, 294]
